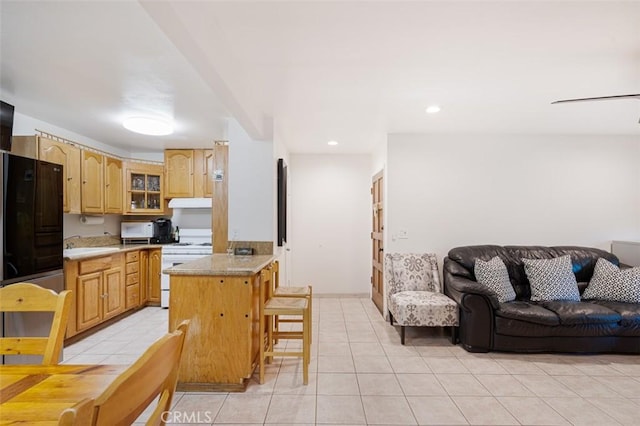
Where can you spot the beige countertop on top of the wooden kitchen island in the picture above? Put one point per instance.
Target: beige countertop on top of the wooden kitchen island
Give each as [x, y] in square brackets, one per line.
[222, 265]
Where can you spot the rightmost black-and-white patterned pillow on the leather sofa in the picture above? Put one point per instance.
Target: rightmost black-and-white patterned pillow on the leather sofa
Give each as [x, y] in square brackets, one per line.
[610, 283]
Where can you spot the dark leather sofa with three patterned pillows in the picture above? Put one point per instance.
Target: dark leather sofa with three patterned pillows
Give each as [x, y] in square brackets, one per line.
[525, 326]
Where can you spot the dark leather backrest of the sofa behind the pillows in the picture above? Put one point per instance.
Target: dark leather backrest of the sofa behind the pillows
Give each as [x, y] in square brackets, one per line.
[583, 261]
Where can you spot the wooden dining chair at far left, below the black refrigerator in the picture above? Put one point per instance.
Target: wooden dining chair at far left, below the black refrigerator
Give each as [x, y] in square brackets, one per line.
[28, 297]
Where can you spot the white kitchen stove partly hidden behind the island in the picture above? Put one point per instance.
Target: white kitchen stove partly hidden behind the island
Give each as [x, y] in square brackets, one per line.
[194, 243]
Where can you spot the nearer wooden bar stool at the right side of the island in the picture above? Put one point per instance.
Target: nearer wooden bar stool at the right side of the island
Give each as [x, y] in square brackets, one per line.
[269, 308]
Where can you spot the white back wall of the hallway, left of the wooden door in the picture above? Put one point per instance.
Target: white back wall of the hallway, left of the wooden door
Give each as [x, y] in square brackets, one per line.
[330, 222]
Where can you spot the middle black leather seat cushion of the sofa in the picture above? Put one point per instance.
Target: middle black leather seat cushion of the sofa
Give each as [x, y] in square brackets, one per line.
[573, 313]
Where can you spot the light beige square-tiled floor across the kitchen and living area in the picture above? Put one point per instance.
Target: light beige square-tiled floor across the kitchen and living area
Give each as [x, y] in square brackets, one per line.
[361, 374]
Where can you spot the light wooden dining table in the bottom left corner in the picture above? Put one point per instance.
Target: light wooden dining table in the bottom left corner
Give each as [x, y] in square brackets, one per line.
[39, 393]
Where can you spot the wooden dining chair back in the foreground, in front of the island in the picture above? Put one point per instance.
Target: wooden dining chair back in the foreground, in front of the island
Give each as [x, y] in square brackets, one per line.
[153, 375]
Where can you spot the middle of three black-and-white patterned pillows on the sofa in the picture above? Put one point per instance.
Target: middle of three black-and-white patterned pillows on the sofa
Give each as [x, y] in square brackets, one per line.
[552, 279]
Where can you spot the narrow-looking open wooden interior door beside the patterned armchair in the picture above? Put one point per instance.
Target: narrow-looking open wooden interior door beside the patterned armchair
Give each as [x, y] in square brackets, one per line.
[377, 246]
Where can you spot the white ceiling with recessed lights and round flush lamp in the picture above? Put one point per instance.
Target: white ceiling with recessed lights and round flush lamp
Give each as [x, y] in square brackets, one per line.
[306, 72]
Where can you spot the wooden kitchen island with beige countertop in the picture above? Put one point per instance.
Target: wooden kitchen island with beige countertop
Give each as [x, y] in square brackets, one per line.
[220, 295]
